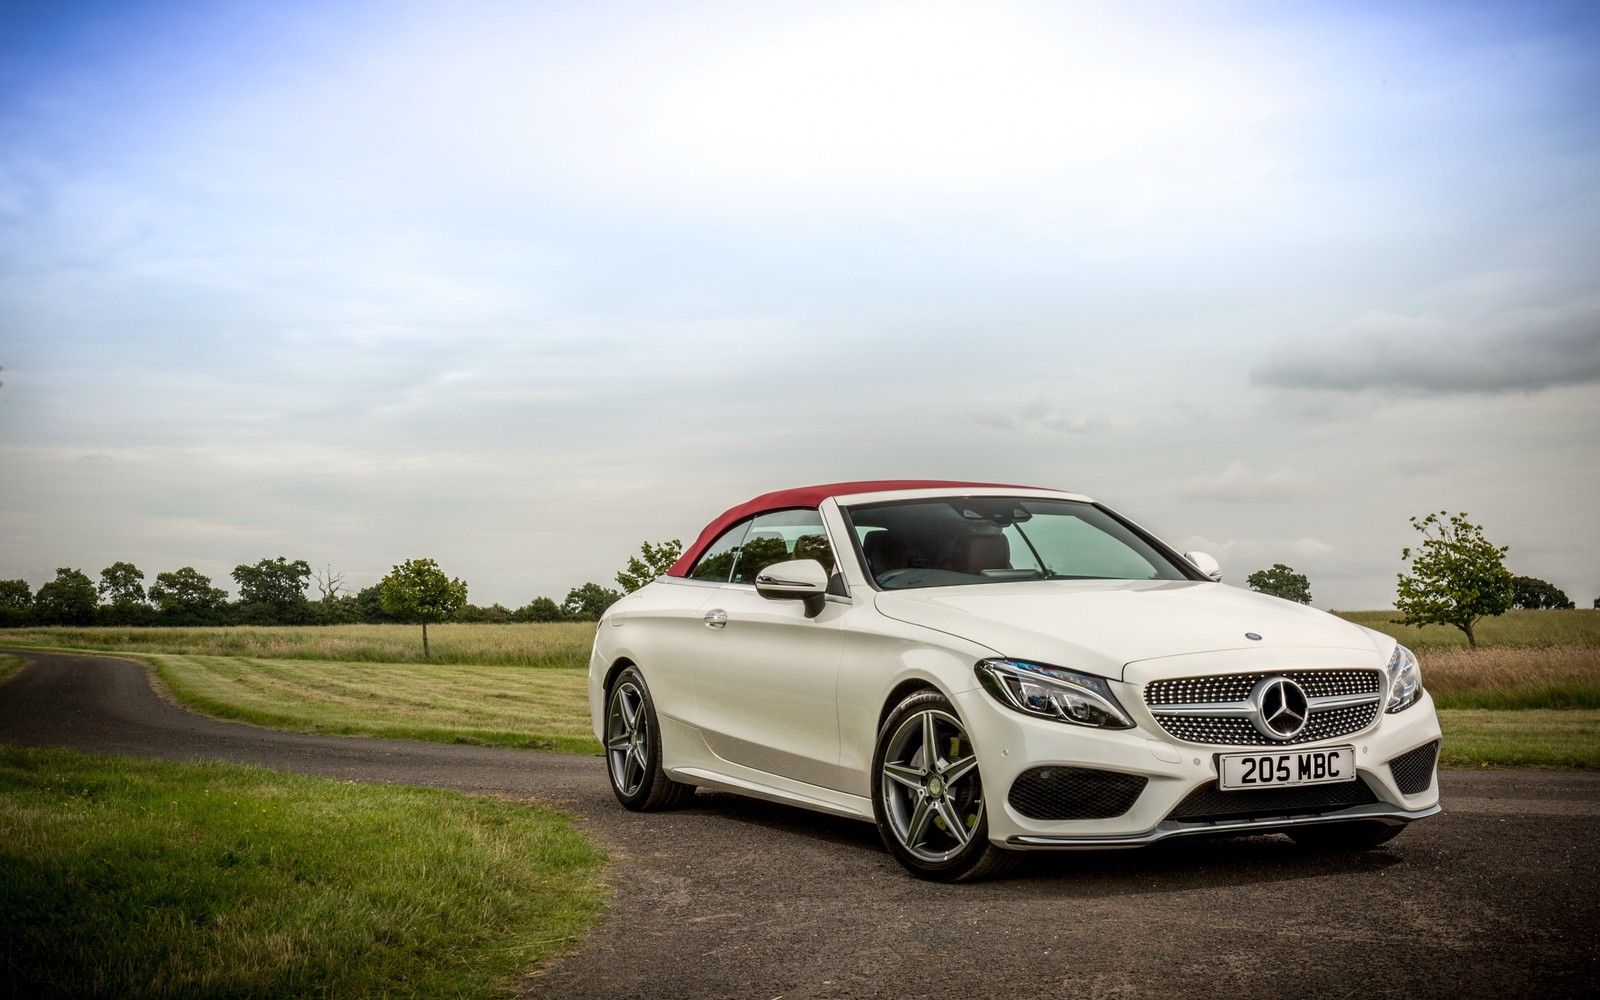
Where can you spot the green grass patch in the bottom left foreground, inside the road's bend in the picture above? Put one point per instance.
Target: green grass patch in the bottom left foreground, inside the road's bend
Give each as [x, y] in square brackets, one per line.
[126, 878]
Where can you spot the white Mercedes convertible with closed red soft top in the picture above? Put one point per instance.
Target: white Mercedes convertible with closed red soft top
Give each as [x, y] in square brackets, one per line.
[990, 670]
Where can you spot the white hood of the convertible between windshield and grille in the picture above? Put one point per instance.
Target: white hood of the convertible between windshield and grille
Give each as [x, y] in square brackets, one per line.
[1103, 626]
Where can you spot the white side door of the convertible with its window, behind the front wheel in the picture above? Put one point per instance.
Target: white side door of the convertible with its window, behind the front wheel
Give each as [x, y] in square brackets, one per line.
[767, 676]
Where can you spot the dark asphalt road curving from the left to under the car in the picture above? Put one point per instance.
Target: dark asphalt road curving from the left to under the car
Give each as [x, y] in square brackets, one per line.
[738, 898]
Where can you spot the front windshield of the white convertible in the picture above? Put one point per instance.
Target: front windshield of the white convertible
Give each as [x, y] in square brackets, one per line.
[990, 540]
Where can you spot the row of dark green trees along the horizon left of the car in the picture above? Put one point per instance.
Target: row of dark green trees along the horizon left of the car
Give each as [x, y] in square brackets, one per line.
[279, 593]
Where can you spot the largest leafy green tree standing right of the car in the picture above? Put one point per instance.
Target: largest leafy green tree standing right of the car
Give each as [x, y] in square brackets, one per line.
[1458, 577]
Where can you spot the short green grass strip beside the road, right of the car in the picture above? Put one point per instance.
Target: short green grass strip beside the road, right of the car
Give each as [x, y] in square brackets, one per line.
[1530, 738]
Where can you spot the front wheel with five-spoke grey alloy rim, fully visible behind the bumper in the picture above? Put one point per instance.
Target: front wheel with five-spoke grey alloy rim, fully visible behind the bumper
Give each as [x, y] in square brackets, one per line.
[929, 804]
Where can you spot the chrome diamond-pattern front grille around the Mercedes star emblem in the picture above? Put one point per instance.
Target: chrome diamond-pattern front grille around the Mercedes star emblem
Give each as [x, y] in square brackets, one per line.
[1228, 695]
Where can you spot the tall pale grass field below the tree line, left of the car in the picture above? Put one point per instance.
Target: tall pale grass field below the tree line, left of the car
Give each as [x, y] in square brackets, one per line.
[513, 646]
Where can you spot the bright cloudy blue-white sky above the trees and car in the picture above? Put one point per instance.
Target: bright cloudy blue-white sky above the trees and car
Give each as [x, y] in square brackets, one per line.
[518, 287]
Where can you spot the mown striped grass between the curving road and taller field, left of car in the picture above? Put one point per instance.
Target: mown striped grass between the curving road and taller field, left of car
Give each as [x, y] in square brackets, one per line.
[545, 710]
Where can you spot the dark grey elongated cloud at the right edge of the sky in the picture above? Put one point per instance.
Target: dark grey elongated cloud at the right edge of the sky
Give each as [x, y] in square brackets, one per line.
[1516, 351]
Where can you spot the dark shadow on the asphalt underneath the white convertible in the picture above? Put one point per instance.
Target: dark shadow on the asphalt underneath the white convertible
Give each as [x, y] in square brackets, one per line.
[1174, 866]
